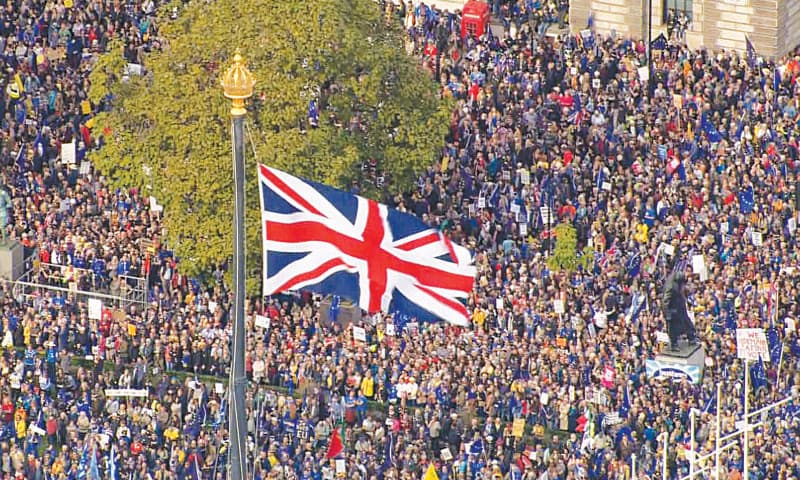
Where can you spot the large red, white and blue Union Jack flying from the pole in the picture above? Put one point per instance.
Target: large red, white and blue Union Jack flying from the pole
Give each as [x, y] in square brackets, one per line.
[325, 240]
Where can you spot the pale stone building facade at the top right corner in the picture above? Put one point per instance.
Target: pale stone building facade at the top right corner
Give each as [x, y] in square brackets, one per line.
[773, 26]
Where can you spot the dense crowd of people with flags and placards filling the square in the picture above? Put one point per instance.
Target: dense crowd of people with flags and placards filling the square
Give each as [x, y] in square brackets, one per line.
[547, 131]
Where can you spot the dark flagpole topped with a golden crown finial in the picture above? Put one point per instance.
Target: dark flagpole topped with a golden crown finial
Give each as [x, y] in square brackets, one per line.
[238, 83]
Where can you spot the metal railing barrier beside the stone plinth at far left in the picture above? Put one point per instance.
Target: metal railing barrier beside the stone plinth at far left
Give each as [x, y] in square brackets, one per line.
[39, 278]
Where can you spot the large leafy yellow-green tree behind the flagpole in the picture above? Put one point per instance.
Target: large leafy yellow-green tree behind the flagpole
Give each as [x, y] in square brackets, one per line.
[168, 131]
